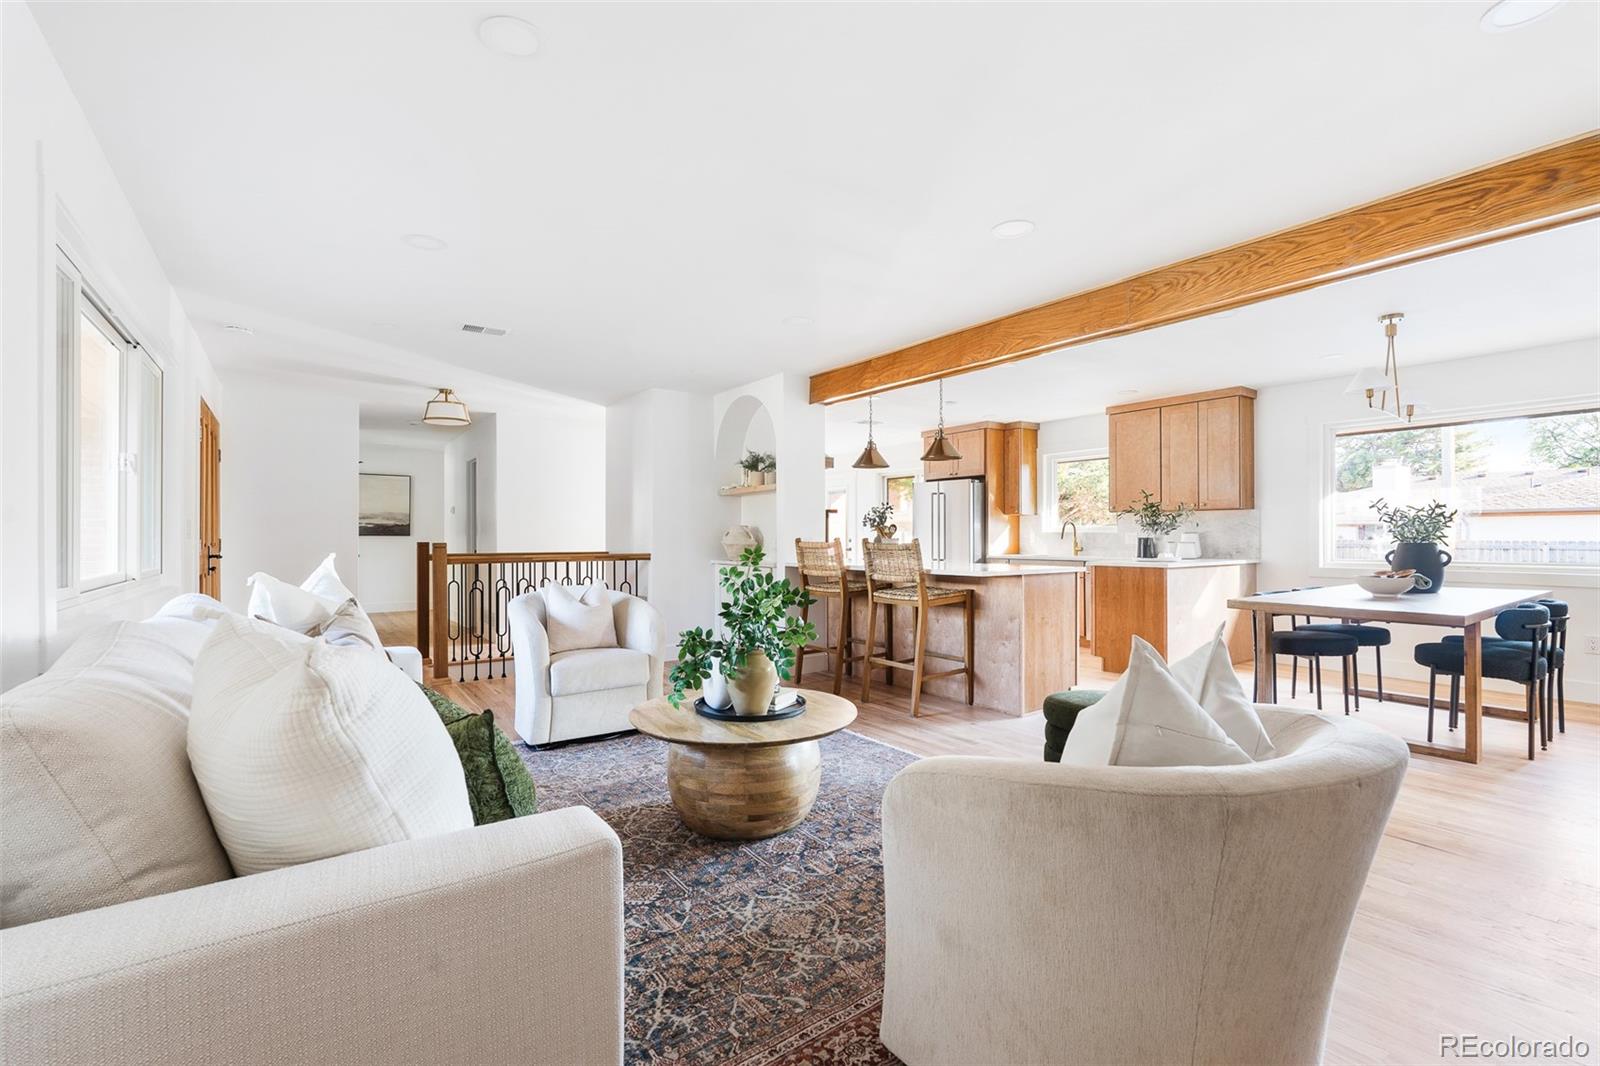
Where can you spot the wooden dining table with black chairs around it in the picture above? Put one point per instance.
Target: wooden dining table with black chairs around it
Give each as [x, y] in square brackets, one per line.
[1452, 607]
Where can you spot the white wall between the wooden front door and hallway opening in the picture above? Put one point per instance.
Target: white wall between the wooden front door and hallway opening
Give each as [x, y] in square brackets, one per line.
[289, 483]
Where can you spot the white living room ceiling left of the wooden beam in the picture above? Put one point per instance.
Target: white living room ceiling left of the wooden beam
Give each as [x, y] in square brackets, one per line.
[665, 188]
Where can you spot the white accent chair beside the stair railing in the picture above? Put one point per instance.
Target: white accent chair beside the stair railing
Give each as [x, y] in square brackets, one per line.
[588, 692]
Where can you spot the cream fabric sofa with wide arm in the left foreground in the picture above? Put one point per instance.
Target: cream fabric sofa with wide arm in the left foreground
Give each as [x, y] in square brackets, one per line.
[407, 953]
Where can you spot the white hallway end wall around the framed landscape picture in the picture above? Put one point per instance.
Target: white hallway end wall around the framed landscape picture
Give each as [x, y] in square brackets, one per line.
[386, 566]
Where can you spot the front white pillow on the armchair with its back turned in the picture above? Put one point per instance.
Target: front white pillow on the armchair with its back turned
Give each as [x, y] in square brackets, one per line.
[1148, 721]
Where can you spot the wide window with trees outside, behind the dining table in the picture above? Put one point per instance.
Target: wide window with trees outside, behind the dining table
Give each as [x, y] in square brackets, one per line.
[1527, 487]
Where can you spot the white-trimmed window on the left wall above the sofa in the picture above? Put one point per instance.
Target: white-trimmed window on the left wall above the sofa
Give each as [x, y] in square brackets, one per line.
[110, 444]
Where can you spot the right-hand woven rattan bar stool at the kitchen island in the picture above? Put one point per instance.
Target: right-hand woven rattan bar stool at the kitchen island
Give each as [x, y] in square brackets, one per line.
[895, 579]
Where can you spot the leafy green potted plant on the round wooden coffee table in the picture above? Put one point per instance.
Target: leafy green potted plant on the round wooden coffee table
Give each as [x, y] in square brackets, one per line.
[761, 644]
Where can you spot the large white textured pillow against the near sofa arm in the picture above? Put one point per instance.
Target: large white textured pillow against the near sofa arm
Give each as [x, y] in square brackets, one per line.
[305, 750]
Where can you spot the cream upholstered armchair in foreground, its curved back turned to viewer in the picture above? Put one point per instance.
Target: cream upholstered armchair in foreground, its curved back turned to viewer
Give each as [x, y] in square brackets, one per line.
[1124, 915]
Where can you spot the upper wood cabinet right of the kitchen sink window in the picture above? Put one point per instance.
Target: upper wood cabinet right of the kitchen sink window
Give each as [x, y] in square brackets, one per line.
[1196, 451]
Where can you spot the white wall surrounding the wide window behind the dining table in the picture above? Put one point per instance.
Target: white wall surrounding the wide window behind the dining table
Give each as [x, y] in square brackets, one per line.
[1292, 425]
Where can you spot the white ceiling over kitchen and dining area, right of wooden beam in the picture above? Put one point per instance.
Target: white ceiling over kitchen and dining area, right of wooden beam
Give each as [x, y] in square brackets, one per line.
[1534, 291]
